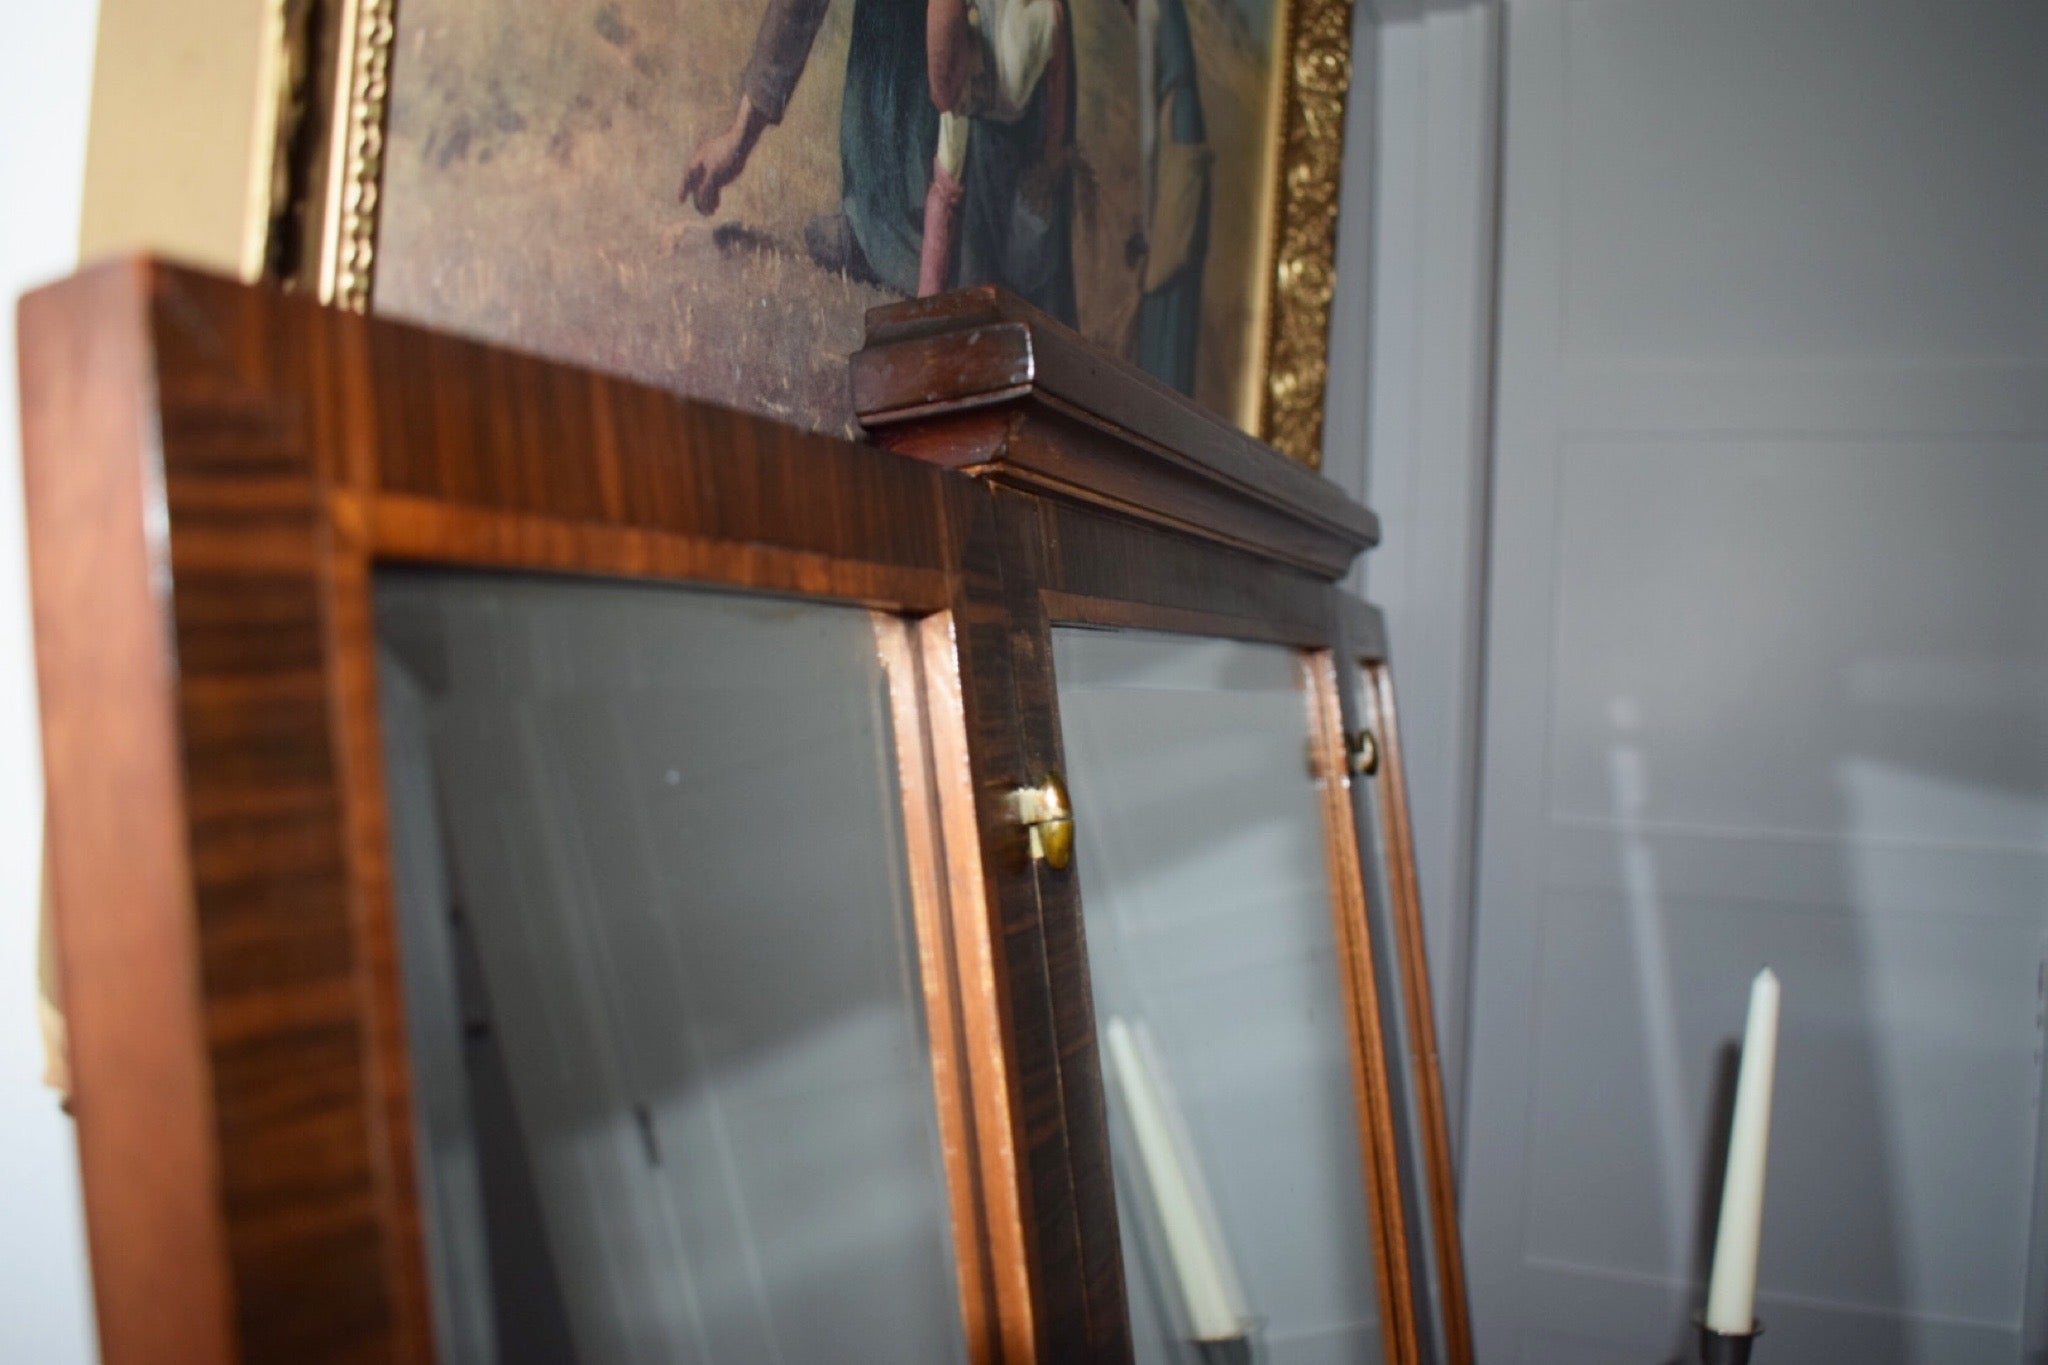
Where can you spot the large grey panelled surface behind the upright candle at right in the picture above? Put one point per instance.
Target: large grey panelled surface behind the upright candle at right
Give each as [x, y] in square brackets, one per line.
[1766, 670]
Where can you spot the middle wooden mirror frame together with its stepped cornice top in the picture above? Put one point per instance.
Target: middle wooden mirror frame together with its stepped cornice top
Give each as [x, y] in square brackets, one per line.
[1121, 507]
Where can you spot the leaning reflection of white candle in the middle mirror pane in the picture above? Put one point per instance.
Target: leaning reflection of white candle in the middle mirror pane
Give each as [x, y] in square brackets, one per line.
[1195, 1245]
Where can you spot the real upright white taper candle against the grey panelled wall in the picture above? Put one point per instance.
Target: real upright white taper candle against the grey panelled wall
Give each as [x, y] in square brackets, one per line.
[1732, 1294]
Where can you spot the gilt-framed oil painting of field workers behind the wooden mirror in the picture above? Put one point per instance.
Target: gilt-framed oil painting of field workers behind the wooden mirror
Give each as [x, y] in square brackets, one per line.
[712, 193]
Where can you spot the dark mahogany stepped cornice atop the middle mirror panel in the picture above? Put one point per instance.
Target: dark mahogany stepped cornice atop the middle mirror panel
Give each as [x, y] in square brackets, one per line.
[980, 380]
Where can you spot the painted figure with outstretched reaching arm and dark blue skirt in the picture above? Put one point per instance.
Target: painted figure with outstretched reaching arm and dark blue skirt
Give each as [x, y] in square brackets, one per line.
[955, 144]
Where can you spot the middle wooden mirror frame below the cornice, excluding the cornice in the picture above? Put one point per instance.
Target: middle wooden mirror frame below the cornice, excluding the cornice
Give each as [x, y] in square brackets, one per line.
[1078, 566]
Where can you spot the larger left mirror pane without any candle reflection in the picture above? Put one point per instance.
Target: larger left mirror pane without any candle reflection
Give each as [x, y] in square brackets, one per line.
[669, 1037]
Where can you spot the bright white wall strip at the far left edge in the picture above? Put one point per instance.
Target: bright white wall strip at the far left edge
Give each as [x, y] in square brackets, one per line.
[46, 75]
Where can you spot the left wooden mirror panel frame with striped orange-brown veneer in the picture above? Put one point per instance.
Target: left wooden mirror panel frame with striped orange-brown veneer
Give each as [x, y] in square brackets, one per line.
[214, 476]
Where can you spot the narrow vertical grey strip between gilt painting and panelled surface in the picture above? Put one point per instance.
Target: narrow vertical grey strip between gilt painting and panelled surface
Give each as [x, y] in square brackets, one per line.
[1431, 431]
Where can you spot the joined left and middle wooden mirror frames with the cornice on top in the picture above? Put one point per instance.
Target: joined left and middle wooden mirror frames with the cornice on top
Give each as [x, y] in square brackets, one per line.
[216, 474]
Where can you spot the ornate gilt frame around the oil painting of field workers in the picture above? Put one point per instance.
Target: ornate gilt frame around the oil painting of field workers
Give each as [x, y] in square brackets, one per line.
[343, 167]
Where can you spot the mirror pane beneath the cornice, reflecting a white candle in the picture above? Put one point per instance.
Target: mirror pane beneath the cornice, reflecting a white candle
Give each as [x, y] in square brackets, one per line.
[1220, 1000]
